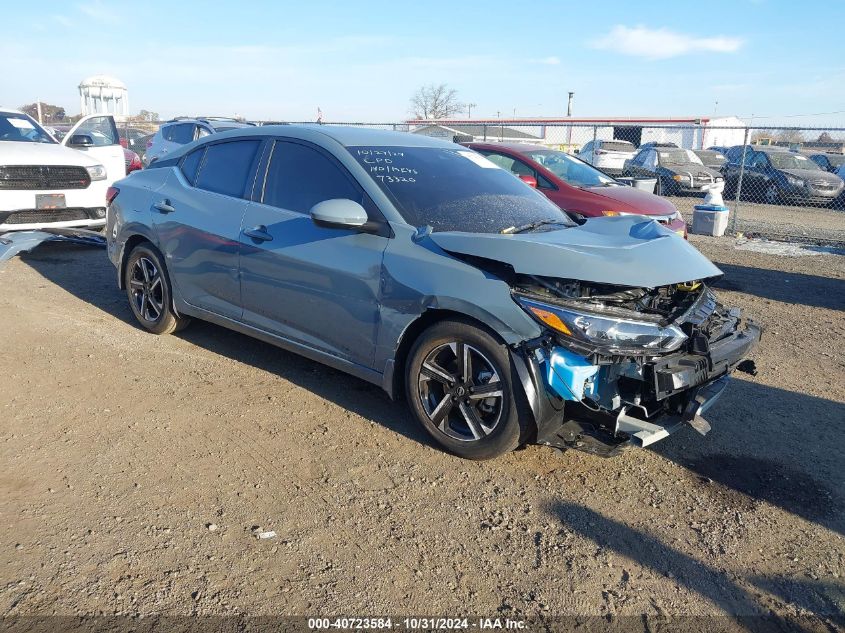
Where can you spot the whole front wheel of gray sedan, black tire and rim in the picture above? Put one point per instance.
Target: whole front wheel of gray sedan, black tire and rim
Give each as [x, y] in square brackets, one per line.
[462, 388]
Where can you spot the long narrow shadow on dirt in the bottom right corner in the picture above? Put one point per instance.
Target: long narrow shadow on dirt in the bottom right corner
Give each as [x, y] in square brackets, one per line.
[729, 595]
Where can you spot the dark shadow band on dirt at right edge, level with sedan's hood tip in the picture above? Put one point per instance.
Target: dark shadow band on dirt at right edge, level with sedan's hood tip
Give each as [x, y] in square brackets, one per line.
[786, 287]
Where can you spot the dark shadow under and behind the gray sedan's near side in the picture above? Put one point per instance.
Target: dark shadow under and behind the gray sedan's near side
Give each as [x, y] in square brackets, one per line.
[87, 274]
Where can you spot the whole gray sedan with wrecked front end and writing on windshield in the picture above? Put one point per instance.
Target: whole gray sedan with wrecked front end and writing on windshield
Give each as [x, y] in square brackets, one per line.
[420, 266]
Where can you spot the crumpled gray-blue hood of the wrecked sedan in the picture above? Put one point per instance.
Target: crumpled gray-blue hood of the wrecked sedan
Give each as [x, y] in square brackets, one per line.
[623, 250]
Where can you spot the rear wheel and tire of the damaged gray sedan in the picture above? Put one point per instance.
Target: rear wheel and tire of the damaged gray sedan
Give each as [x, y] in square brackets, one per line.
[149, 292]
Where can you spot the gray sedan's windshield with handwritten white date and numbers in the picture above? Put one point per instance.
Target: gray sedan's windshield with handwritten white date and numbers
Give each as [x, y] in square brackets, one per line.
[454, 189]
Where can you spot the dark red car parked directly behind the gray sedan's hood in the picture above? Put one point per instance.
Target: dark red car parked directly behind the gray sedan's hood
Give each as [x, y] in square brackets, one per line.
[577, 187]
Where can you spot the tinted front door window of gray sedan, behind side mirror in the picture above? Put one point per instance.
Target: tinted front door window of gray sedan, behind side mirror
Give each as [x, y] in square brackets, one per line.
[298, 177]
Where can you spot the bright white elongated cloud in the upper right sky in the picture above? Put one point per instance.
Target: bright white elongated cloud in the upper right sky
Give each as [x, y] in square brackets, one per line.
[641, 41]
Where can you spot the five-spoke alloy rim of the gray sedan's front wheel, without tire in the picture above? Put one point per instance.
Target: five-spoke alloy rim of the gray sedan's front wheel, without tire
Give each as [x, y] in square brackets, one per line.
[461, 391]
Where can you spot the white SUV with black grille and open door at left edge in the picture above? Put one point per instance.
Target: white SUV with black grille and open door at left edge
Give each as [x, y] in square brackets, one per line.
[47, 184]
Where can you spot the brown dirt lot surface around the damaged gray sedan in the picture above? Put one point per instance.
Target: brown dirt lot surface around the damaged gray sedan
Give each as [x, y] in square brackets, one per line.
[137, 468]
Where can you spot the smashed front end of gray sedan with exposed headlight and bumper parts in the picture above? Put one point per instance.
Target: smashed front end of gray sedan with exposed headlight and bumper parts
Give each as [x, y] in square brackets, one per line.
[623, 366]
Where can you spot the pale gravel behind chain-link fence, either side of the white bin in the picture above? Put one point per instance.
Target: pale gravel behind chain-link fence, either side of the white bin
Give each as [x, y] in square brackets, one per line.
[823, 224]
